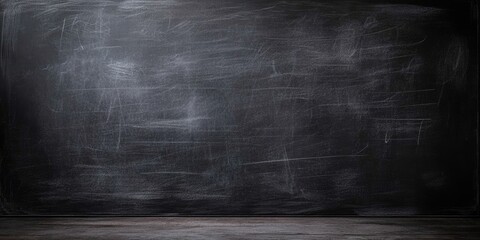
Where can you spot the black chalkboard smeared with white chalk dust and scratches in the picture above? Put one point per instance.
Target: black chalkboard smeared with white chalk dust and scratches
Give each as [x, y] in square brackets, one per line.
[238, 107]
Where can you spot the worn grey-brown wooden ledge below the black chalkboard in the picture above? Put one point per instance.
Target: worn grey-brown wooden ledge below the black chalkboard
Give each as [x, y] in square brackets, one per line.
[237, 228]
